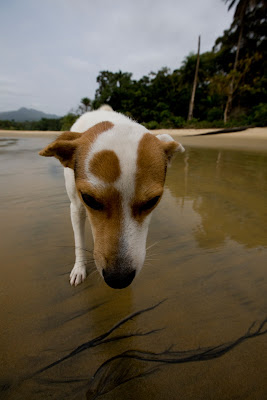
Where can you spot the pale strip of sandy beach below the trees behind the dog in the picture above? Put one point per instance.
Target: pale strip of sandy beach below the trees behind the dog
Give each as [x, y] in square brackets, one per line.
[250, 139]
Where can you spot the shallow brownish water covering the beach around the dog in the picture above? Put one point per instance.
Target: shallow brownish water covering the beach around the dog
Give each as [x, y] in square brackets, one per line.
[208, 265]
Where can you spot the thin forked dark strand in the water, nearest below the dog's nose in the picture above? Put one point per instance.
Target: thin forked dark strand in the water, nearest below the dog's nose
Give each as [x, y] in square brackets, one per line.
[100, 339]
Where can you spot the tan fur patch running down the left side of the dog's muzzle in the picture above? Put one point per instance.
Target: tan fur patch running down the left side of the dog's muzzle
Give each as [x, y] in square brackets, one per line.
[106, 223]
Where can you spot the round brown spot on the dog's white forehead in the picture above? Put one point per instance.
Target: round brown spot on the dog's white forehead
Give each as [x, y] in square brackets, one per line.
[106, 166]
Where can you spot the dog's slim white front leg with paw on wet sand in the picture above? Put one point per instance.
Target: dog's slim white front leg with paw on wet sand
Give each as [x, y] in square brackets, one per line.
[78, 216]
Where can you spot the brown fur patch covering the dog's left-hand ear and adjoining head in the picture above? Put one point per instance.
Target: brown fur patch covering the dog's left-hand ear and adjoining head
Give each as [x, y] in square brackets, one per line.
[70, 146]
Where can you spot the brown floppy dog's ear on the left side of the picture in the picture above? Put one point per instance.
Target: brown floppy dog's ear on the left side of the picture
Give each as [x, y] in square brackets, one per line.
[63, 148]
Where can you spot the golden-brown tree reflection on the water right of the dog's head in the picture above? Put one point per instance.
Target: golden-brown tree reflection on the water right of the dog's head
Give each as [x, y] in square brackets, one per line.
[228, 191]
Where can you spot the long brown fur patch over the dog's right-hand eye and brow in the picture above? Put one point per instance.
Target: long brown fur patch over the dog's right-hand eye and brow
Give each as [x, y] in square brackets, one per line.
[150, 174]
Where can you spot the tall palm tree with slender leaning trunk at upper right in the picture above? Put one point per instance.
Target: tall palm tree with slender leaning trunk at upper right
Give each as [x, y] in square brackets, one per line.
[239, 16]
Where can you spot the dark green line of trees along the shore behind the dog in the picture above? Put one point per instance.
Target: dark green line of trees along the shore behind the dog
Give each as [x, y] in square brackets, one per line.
[230, 85]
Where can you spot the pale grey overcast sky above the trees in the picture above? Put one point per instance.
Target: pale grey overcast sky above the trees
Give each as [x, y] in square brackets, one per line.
[51, 51]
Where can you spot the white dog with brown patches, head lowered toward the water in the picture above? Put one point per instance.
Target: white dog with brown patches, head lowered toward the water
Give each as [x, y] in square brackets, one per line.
[114, 172]
